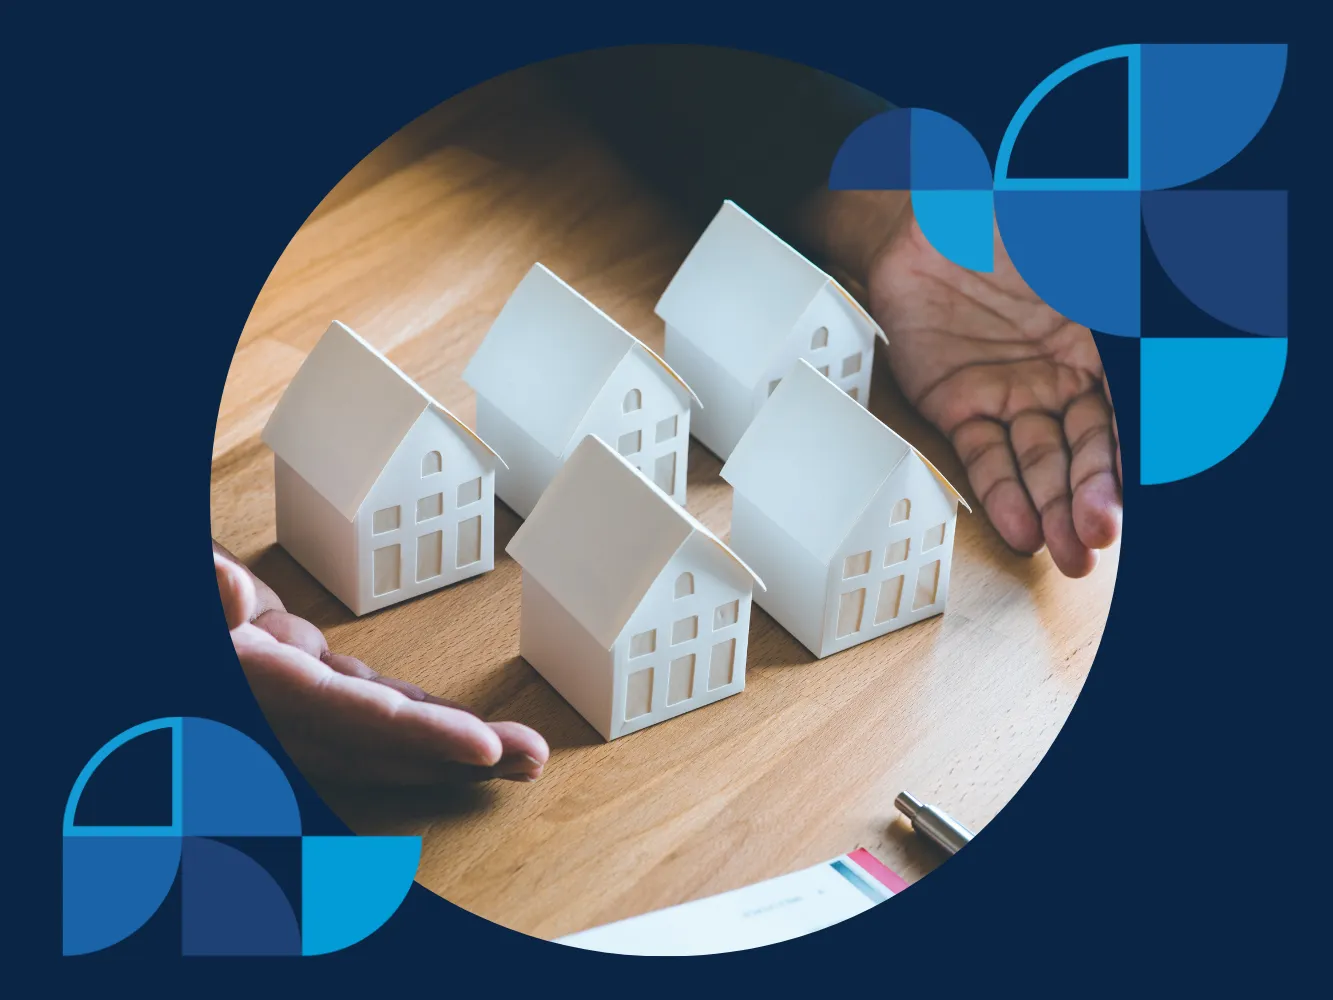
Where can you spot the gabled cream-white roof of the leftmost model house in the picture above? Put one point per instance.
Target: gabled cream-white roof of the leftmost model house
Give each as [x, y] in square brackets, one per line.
[346, 414]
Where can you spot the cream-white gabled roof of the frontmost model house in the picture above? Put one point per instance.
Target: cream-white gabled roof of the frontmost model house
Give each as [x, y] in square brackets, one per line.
[599, 538]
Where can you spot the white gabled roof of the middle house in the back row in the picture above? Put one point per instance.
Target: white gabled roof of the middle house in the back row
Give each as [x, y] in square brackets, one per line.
[549, 355]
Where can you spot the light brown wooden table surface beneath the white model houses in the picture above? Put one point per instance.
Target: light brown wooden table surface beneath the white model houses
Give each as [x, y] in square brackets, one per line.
[417, 250]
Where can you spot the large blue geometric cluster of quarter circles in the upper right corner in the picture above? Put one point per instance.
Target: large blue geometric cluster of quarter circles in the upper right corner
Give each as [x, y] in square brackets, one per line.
[1076, 241]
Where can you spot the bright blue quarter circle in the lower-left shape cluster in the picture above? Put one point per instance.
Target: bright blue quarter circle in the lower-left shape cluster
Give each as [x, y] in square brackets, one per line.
[351, 886]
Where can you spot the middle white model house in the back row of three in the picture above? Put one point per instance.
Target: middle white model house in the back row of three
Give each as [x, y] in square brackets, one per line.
[555, 369]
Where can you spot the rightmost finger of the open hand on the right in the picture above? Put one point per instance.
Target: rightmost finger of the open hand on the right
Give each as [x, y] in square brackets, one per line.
[1094, 470]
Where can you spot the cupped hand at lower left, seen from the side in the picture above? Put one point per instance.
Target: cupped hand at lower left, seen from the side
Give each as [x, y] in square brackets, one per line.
[339, 719]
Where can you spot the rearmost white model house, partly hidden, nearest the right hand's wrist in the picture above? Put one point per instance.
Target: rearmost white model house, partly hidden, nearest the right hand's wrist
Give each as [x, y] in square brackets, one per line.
[742, 310]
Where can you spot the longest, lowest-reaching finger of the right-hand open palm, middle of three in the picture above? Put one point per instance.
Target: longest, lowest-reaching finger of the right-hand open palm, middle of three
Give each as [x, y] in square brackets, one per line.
[1039, 446]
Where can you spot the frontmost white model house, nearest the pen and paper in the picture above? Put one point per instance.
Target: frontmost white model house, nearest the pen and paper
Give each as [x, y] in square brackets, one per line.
[633, 610]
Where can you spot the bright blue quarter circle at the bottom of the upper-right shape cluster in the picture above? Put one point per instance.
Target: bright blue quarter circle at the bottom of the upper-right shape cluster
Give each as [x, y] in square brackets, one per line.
[1202, 399]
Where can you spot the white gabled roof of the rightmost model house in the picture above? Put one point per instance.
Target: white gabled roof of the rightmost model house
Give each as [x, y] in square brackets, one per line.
[814, 459]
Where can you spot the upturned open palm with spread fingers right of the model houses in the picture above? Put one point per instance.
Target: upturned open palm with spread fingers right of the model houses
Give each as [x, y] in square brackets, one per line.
[1016, 387]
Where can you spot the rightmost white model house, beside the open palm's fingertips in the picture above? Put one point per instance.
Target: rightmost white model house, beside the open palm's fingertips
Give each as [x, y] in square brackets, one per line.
[850, 526]
